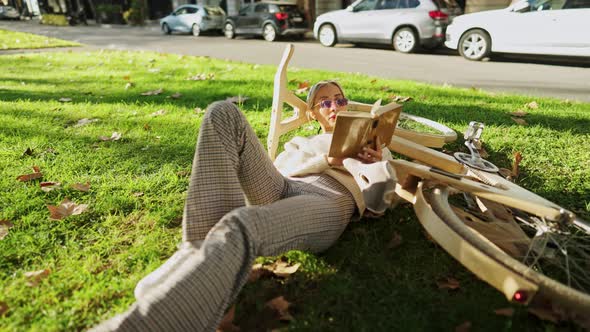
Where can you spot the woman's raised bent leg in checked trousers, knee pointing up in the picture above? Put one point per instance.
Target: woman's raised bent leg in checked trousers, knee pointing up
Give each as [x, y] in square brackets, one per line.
[229, 162]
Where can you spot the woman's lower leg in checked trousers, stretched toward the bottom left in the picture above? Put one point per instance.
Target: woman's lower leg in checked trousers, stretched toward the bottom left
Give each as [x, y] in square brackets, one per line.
[195, 295]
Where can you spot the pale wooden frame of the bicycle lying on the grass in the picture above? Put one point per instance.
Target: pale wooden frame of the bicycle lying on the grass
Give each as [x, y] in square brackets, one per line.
[433, 167]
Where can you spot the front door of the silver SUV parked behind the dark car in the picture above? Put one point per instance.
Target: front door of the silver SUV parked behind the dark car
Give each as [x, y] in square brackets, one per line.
[356, 25]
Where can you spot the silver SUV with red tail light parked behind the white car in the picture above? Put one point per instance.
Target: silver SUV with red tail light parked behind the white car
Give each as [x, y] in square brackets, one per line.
[407, 24]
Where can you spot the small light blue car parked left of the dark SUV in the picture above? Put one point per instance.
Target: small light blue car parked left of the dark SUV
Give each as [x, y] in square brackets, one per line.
[193, 19]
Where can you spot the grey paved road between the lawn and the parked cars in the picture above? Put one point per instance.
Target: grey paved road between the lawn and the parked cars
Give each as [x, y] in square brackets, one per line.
[530, 76]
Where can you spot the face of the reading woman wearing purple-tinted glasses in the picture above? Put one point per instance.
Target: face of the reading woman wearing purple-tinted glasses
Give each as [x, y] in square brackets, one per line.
[326, 116]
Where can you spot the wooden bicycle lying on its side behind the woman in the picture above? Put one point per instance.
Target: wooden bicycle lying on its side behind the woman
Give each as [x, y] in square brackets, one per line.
[518, 242]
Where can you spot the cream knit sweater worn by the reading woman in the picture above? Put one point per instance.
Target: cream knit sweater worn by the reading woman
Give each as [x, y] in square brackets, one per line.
[308, 155]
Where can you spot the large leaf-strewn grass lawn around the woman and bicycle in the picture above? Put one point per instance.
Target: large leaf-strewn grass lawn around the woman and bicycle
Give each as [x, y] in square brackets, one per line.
[138, 184]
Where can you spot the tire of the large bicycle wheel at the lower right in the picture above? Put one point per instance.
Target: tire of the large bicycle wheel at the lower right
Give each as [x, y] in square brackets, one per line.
[557, 292]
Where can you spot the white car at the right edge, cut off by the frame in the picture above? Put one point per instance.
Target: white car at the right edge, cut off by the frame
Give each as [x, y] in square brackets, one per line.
[549, 27]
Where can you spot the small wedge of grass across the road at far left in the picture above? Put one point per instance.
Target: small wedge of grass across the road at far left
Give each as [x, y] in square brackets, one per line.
[20, 40]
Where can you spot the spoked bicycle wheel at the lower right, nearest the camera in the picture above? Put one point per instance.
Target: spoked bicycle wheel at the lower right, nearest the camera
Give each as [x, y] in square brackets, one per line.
[555, 256]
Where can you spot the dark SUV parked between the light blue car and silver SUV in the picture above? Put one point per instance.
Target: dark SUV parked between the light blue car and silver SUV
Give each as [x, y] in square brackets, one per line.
[270, 19]
